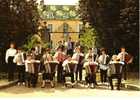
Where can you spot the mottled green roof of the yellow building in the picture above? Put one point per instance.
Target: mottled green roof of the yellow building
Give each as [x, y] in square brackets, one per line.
[59, 12]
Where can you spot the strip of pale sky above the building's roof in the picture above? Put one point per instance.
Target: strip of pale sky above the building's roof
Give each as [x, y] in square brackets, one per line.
[61, 2]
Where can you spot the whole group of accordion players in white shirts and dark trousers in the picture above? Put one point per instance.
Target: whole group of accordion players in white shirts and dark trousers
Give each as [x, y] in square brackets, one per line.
[70, 64]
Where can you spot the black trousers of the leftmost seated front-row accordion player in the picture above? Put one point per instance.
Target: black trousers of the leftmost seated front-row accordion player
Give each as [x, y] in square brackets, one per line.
[31, 79]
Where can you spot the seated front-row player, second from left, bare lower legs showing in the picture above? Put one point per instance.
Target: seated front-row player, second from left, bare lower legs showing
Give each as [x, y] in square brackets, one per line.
[47, 57]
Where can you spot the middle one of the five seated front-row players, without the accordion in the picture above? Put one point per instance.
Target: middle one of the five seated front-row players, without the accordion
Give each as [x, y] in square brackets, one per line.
[67, 70]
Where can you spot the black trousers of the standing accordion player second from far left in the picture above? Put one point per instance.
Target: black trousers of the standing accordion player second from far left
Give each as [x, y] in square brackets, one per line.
[21, 73]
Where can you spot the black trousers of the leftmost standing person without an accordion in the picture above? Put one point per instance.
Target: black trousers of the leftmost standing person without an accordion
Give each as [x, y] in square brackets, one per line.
[11, 69]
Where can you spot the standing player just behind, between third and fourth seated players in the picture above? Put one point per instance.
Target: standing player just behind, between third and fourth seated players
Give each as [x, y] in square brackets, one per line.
[79, 57]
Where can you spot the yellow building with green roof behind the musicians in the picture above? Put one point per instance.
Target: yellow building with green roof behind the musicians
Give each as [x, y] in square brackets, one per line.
[62, 22]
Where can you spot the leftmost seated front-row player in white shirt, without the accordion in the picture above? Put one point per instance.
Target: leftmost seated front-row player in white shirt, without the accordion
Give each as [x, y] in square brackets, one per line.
[31, 78]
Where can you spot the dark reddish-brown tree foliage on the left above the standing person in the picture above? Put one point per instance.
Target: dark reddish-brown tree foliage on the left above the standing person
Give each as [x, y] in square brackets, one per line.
[18, 20]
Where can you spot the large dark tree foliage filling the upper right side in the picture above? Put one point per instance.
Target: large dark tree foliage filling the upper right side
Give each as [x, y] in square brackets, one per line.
[116, 22]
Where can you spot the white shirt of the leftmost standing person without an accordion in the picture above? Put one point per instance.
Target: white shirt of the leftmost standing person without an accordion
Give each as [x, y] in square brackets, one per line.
[10, 53]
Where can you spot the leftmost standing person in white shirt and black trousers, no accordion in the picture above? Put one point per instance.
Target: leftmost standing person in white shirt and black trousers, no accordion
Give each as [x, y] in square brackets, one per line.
[10, 53]
